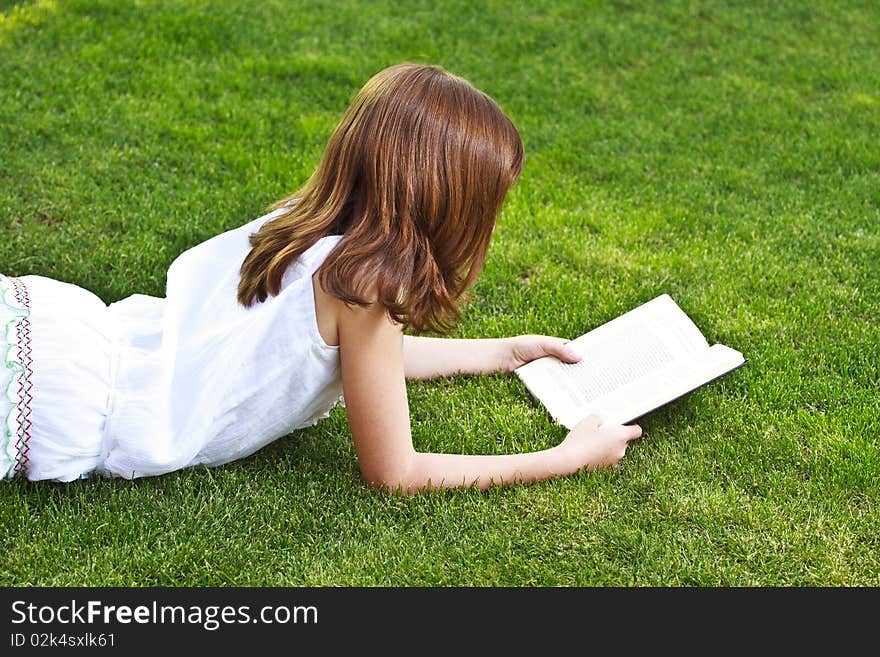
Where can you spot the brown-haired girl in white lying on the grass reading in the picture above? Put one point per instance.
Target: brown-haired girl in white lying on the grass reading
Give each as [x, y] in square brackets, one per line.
[264, 328]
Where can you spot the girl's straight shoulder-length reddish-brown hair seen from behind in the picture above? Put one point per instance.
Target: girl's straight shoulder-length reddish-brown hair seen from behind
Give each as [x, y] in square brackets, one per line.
[413, 177]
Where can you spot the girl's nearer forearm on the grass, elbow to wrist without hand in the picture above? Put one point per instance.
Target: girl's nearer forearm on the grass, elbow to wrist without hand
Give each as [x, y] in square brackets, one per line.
[430, 470]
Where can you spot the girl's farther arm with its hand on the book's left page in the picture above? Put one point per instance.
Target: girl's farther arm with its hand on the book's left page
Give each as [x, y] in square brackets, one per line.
[428, 358]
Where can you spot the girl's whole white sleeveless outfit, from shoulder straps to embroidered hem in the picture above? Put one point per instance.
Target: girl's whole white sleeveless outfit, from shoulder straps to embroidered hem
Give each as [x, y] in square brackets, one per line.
[150, 385]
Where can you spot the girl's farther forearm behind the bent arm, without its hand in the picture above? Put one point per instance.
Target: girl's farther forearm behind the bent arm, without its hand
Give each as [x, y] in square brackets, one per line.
[428, 358]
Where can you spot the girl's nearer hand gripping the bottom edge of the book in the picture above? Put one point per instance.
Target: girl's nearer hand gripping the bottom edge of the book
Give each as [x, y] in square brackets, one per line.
[593, 445]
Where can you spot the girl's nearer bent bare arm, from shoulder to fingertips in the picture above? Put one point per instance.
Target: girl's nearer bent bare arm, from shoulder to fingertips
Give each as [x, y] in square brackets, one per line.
[372, 359]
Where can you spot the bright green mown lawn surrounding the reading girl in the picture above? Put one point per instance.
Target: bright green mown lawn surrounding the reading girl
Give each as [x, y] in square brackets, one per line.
[724, 153]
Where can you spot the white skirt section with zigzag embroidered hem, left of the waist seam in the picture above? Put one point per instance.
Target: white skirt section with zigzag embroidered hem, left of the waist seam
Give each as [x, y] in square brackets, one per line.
[59, 348]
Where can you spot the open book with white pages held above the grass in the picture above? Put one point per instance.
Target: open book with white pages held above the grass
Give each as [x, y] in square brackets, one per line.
[631, 366]
